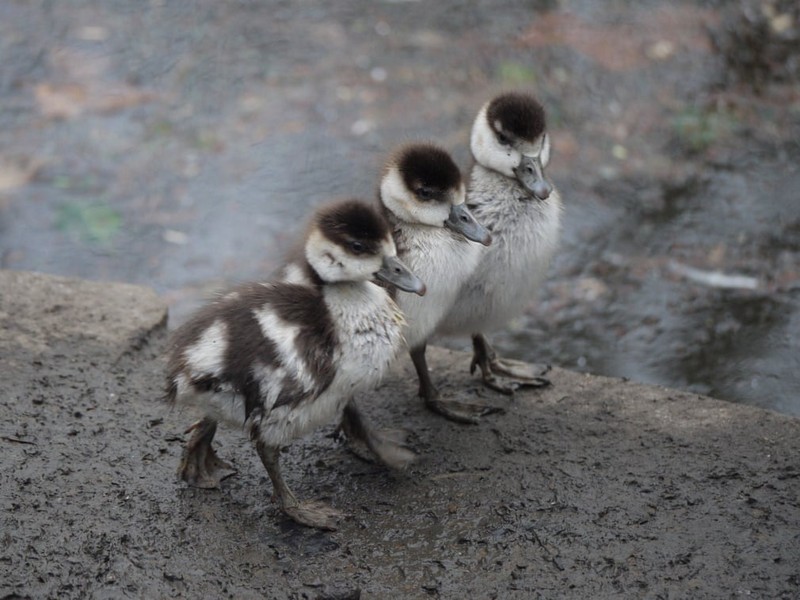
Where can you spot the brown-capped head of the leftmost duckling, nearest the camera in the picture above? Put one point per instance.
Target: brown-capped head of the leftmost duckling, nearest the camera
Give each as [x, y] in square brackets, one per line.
[350, 241]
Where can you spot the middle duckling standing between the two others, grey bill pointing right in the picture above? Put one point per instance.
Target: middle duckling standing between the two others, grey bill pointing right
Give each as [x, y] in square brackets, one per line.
[422, 197]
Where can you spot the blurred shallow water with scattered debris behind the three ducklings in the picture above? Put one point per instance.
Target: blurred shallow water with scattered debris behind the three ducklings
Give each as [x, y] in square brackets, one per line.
[180, 145]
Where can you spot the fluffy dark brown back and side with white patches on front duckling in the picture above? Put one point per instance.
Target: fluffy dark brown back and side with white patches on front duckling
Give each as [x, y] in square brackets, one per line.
[270, 344]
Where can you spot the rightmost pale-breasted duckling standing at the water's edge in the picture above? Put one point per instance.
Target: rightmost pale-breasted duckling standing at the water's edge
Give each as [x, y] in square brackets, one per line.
[510, 194]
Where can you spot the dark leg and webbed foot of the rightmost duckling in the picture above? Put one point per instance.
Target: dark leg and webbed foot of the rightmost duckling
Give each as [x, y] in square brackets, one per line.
[520, 374]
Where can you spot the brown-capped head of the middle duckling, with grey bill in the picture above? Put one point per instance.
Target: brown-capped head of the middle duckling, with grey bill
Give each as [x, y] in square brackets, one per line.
[421, 185]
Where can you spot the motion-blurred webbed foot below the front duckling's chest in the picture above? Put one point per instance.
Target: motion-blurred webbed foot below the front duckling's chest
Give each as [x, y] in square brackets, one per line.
[388, 445]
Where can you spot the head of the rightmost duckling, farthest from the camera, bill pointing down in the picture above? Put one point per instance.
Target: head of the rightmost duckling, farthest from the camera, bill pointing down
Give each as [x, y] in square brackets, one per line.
[509, 136]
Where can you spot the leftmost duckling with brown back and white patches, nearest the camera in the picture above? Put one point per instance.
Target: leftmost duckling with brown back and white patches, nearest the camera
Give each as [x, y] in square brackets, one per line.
[281, 358]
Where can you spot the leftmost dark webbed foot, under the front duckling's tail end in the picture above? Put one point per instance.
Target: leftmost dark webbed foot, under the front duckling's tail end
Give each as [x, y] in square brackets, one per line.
[200, 466]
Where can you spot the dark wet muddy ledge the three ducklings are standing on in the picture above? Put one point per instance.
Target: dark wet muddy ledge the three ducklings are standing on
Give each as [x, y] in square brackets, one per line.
[592, 488]
